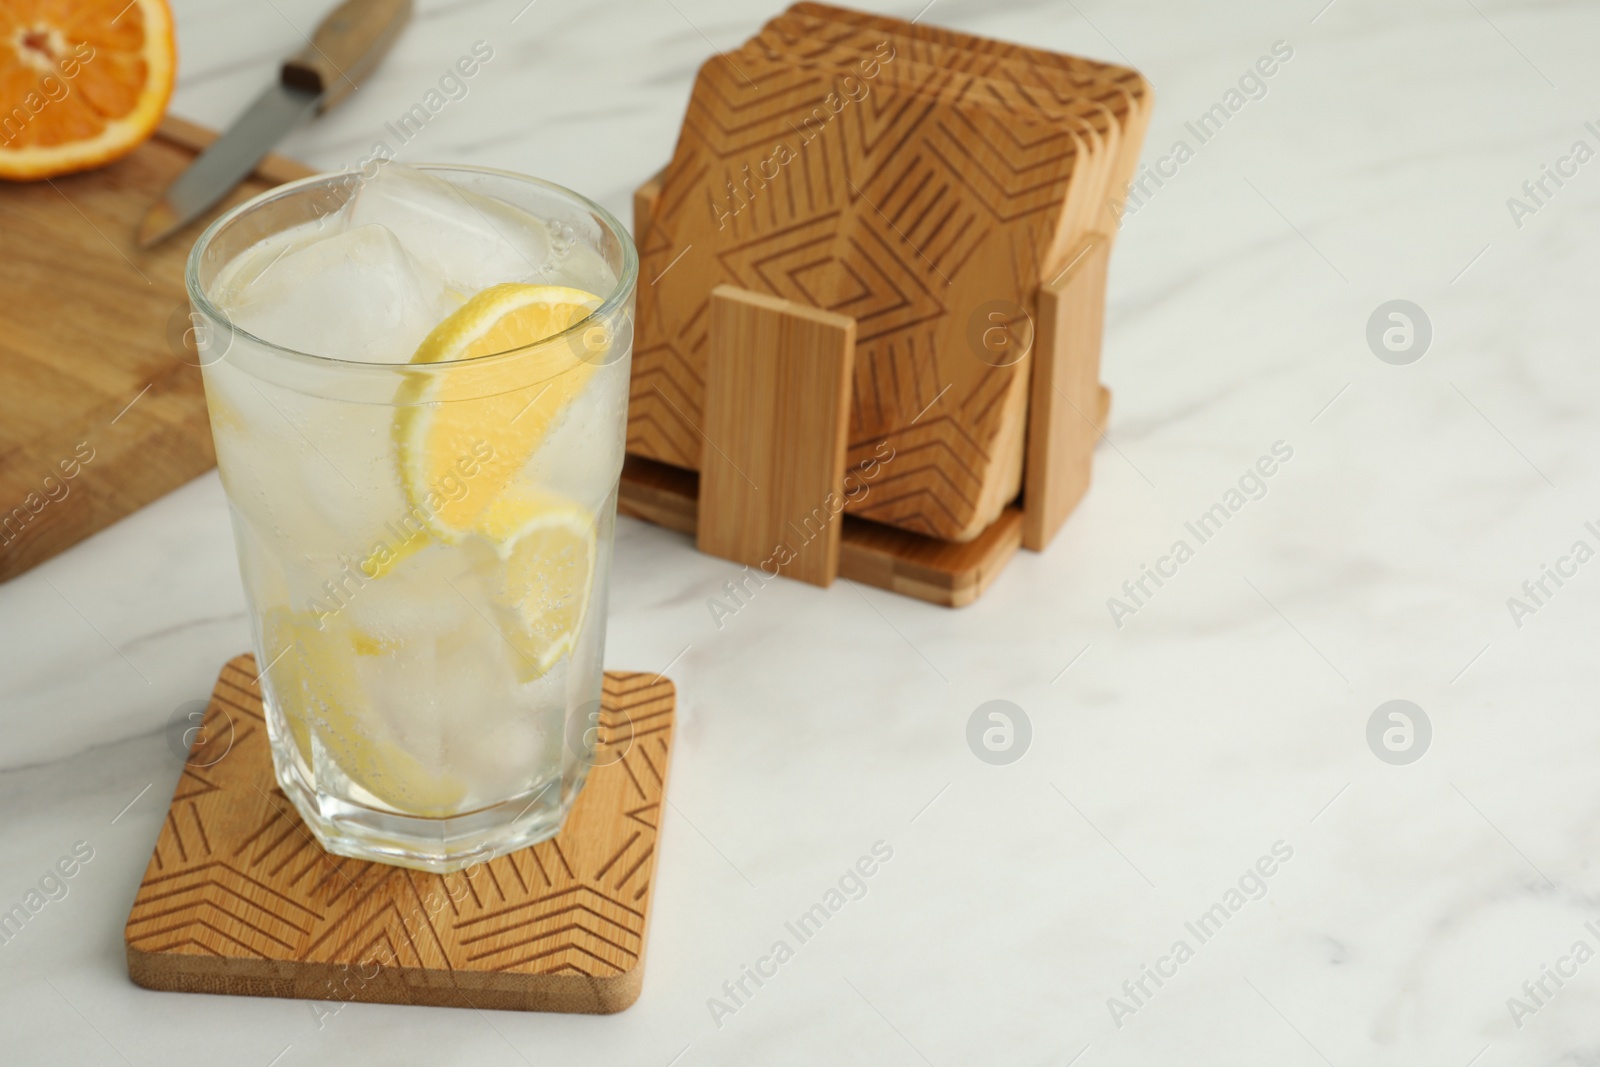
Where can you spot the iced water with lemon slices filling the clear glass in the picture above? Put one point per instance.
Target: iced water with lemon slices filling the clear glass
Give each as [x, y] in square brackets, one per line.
[433, 657]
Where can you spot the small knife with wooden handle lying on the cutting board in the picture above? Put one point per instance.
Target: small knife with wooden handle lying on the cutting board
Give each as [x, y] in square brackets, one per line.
[345, 50]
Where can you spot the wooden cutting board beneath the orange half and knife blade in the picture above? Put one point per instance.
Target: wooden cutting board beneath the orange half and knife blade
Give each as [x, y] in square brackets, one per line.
[102, 406]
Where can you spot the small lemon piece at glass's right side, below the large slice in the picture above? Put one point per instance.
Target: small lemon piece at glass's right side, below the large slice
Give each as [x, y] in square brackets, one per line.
[548, 565]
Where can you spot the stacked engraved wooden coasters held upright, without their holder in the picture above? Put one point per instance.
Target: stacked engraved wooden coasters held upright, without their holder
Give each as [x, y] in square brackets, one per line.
[959, 175]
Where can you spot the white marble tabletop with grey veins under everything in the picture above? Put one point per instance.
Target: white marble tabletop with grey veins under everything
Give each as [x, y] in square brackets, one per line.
[1225, 719]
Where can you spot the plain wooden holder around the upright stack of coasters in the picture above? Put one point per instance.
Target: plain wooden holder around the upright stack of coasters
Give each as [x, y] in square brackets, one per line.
[772, 482]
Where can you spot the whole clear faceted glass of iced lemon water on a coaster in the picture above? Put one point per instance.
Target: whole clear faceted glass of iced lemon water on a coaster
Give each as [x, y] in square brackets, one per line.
[418, 391]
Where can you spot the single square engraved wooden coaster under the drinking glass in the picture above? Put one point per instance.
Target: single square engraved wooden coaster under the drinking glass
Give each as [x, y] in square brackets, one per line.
[239, 898]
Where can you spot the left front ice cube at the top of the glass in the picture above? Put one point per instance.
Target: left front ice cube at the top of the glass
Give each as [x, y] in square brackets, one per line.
[358, 295]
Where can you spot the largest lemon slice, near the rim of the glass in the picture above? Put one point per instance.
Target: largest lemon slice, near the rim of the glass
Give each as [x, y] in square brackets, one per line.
[463, 434]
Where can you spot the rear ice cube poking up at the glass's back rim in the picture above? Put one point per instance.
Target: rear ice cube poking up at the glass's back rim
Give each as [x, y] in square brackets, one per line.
[473, 241]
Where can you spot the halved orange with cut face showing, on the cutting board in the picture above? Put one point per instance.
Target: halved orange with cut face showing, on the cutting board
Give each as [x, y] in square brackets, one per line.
[82, 82]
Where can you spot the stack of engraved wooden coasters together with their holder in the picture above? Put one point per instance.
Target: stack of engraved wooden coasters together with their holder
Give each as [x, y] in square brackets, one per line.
[935, 210]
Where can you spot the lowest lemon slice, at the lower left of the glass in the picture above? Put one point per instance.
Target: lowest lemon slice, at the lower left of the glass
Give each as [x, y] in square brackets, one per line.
[314, 676]
